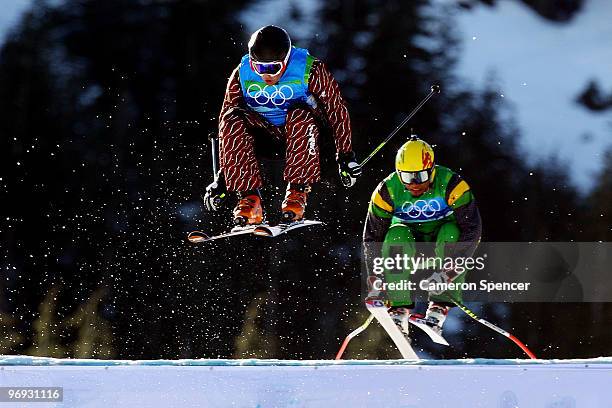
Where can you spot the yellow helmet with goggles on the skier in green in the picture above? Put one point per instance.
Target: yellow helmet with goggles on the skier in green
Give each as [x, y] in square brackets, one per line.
[414, 162]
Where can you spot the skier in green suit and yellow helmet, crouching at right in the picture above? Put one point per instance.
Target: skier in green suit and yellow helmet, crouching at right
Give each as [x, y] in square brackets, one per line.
[421, 202]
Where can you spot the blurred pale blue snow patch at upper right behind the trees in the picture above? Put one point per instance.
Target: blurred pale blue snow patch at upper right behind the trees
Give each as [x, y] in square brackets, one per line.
[541, 68]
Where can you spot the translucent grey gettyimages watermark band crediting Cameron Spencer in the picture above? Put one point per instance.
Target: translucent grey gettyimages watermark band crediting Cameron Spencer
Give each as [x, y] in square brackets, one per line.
[494, 271]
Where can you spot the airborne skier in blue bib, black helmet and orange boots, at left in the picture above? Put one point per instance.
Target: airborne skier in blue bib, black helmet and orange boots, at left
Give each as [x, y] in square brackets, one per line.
[292, 97]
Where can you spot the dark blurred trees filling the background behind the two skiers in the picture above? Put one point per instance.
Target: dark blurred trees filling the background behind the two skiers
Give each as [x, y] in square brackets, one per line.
[105, 108]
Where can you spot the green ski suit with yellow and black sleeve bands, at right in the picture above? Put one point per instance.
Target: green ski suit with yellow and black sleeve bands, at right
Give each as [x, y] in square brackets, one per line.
[445, 213]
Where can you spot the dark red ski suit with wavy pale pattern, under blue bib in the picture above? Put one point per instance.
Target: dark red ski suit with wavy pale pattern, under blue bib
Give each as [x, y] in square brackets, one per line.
[300, 132]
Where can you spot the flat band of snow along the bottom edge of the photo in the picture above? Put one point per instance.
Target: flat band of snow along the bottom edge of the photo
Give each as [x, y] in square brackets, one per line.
[323, 383]
